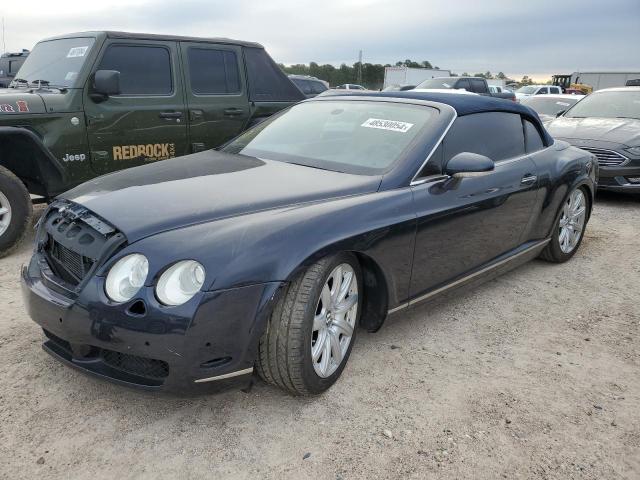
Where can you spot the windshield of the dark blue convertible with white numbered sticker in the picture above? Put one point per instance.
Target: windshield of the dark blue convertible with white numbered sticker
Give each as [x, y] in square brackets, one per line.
[359, 137]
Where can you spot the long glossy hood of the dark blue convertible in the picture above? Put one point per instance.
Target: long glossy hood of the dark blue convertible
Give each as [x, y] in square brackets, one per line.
[207, 186]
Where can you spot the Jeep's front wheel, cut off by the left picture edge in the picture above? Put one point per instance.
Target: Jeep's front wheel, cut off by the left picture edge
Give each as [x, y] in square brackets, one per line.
[16, 211]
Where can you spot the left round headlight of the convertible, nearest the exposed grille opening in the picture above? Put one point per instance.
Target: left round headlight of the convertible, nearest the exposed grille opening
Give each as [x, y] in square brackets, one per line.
[126, 277]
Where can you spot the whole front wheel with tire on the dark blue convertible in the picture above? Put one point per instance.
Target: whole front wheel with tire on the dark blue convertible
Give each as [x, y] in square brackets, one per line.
[312, 329]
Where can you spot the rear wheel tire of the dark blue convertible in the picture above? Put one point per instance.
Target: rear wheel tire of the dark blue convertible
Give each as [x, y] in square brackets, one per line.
[558, 250]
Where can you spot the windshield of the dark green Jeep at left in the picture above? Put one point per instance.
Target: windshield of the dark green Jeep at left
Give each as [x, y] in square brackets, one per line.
[56, 61]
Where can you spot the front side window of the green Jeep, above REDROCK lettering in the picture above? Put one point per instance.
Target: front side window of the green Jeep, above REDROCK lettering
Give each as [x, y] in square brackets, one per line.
[144, 70]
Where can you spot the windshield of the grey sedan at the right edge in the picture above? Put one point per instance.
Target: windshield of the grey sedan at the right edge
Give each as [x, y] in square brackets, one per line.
[608, 105]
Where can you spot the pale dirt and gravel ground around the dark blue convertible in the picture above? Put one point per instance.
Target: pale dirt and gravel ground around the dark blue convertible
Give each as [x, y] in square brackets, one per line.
[533, 375]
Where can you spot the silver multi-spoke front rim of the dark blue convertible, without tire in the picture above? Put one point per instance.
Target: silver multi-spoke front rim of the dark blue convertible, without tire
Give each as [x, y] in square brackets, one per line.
[334, 321]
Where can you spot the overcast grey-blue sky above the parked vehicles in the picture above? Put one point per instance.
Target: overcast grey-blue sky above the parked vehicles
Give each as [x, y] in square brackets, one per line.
[534, 37]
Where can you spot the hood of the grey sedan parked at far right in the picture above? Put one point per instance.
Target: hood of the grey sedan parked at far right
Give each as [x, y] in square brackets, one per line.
[625, 131]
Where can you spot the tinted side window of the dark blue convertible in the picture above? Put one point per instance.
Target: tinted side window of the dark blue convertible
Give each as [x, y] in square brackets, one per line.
[496, 135]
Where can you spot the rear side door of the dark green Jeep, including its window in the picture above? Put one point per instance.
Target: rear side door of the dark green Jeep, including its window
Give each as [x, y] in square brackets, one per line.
[217, 99]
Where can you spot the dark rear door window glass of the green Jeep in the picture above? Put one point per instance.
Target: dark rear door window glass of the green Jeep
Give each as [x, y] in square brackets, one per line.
[213, 72]
